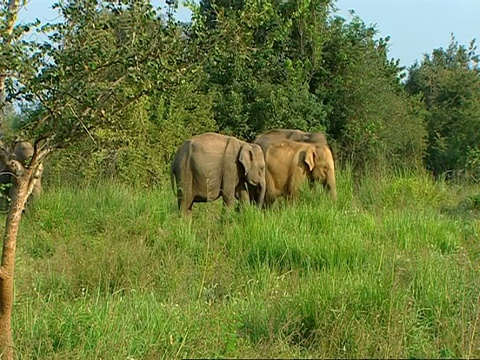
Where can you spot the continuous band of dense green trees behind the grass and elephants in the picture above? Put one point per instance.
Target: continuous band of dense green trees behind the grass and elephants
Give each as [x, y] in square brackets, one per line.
[132, 83]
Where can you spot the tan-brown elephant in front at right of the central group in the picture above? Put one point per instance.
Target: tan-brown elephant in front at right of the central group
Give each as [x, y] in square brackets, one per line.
[290, 163]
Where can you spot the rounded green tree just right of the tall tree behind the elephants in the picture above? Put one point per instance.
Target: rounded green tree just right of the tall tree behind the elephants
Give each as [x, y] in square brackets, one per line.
[369, 115]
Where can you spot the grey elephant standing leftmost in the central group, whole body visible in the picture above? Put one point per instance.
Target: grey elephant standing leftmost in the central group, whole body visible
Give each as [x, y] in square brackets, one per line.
[211, 165]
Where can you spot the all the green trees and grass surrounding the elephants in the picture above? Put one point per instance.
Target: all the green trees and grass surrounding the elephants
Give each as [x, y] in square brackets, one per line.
[106, 268]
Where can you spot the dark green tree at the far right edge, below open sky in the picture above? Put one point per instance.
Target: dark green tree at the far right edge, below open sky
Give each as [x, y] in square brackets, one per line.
[448, 81]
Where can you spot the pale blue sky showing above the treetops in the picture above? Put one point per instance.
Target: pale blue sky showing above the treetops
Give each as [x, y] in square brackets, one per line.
[415, 27]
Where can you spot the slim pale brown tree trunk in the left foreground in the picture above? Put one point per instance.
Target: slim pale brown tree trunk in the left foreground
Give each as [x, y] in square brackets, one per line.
[21, 187]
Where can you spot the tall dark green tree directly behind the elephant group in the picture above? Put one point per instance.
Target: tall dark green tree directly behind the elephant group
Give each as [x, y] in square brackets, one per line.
[261, 61]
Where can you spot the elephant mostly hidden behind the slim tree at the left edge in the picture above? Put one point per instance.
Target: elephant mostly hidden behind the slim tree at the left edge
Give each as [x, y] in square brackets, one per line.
[23, 151]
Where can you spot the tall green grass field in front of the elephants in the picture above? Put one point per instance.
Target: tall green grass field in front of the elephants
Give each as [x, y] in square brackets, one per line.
[390, 270]
